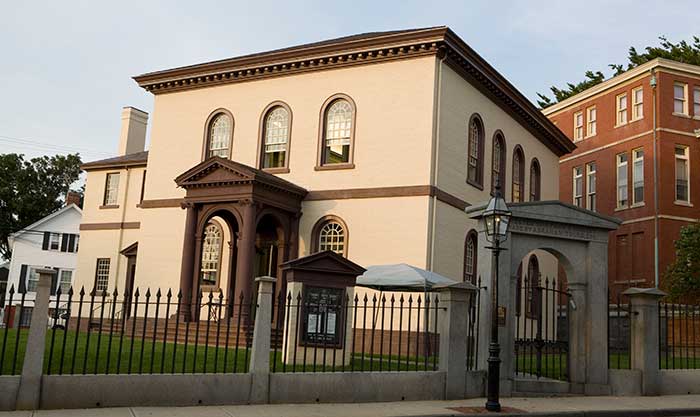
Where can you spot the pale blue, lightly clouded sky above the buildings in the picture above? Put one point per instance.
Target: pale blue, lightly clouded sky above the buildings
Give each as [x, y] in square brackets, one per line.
[66, 66]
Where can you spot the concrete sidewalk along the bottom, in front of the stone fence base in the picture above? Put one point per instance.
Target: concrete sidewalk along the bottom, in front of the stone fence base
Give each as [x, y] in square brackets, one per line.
[686, 405]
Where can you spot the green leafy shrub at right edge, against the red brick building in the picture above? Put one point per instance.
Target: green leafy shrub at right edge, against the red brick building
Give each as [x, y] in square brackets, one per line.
[683, 275]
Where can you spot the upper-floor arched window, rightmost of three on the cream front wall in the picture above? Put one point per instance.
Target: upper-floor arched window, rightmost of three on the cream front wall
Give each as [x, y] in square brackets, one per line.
[338, 132]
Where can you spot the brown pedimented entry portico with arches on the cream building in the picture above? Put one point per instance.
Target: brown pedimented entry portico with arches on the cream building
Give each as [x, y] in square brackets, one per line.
[253, 204]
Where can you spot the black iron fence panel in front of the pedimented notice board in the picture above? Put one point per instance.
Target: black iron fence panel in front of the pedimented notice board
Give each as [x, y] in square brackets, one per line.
[327, 330]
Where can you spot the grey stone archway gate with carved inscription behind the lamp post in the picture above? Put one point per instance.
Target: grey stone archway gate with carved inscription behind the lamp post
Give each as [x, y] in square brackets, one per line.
[578, 238]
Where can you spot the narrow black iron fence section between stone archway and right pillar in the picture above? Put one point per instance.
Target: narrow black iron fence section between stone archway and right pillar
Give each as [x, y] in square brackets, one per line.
[619, 340]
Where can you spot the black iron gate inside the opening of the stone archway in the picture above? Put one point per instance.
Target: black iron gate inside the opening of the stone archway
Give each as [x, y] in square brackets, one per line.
[541, 329]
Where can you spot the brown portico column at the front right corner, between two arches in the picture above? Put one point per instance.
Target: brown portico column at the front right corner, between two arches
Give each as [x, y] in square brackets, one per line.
[246, 251]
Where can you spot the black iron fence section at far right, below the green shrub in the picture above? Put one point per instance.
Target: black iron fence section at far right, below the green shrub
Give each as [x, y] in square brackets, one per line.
[679, 336]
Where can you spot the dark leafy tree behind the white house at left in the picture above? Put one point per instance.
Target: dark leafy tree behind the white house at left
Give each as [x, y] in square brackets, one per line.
[30, 190]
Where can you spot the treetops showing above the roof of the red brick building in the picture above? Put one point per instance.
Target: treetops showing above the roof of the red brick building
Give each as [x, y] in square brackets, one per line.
[682, 51]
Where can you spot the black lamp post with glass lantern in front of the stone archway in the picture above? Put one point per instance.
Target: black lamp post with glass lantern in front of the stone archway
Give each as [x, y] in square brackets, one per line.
[497, 217]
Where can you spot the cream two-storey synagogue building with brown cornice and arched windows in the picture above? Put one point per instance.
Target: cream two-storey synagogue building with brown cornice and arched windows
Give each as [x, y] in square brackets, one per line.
[369, 145]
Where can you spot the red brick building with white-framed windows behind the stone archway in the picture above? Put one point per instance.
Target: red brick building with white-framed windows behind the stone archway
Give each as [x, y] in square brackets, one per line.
[637, 158]
